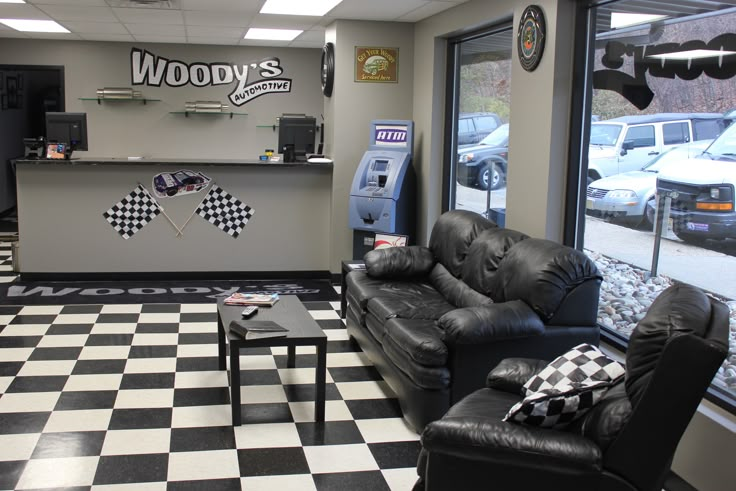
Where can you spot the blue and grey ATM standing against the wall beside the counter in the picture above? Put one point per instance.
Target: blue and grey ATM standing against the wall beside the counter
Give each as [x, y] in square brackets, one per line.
[383, 194]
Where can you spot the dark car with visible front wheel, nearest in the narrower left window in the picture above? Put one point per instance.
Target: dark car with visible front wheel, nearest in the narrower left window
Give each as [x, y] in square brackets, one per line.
[484, 165]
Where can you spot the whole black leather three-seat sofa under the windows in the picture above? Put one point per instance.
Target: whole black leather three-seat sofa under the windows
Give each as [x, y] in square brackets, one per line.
[434, 320]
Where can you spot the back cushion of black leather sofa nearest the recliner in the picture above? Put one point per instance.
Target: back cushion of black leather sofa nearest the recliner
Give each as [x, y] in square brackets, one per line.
[541, 273]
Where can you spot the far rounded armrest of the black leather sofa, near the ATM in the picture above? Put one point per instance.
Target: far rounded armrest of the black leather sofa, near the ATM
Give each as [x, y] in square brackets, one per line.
[399, 262]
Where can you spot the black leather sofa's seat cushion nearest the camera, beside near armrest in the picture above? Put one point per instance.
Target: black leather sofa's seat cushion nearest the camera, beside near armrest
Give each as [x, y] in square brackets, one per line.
[420, 339]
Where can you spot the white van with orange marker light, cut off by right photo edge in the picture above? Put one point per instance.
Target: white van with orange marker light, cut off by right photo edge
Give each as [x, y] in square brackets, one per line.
[702, 192]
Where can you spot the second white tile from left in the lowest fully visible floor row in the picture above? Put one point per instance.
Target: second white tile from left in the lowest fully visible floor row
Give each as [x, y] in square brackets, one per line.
[213, 464]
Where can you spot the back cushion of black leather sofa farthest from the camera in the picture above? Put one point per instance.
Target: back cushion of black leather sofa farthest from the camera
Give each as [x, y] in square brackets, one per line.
[452, 235]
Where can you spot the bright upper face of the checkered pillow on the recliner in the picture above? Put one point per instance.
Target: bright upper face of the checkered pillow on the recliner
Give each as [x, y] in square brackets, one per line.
[582, 363]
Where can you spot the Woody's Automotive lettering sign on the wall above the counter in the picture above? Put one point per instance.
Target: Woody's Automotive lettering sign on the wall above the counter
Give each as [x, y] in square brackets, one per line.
[149, 69]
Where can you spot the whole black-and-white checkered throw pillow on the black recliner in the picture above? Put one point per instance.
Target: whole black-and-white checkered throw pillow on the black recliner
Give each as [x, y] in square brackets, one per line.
[567, 388]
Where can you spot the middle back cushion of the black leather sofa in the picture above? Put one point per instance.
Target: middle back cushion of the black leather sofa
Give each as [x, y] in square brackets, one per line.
[484, 256]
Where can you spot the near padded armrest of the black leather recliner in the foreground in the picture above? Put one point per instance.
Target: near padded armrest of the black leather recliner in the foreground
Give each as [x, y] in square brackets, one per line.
[483, 439]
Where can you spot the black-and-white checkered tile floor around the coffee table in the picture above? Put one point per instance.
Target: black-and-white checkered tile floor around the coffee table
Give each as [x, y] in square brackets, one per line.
[129, 397]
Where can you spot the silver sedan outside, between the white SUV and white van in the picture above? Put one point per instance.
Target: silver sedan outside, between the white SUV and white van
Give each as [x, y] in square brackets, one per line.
[625, 196]
